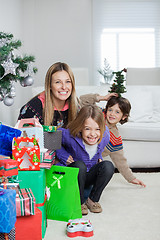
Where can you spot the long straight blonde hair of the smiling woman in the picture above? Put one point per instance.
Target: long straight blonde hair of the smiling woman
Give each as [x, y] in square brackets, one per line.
[48, 111]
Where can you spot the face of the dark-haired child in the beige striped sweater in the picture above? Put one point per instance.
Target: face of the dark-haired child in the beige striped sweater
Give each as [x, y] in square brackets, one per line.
[114, 114]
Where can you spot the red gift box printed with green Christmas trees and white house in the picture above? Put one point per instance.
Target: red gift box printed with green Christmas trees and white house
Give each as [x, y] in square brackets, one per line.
[26, 152]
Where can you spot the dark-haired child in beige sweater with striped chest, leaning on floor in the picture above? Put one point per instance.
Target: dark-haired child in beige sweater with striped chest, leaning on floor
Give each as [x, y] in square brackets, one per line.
[116, 111]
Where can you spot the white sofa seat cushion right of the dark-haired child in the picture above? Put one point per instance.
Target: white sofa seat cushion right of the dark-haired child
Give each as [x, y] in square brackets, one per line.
[140, 131]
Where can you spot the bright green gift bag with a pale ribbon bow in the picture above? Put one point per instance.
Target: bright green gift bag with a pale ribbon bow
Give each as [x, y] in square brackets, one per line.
[63, 198]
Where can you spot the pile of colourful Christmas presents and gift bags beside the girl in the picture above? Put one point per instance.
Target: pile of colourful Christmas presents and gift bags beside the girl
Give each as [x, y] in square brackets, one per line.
[32, 188]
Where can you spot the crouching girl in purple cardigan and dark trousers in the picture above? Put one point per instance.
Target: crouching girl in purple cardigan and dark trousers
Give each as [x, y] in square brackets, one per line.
[82, 145]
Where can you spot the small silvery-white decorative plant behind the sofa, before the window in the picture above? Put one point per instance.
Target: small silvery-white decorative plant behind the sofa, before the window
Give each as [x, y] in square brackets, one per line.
[106, 72]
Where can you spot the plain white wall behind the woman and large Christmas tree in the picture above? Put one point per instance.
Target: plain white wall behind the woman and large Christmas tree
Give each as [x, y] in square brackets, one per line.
[51, 30]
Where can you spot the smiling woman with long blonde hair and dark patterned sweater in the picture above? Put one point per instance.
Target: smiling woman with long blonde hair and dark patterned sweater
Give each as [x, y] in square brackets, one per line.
[58, 104]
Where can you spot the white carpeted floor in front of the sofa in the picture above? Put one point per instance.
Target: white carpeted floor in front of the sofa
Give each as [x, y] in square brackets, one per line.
[130, 212]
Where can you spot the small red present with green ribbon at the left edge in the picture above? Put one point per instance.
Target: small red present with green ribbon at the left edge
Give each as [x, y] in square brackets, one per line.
[8, 167]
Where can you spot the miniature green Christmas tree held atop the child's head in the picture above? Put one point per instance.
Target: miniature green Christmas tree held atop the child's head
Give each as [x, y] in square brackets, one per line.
[118, 85]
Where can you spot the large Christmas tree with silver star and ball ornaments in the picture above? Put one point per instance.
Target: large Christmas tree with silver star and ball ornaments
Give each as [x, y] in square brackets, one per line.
[13, 69]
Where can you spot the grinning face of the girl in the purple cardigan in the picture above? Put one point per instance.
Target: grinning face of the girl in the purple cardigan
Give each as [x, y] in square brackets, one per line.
[90, 132]
